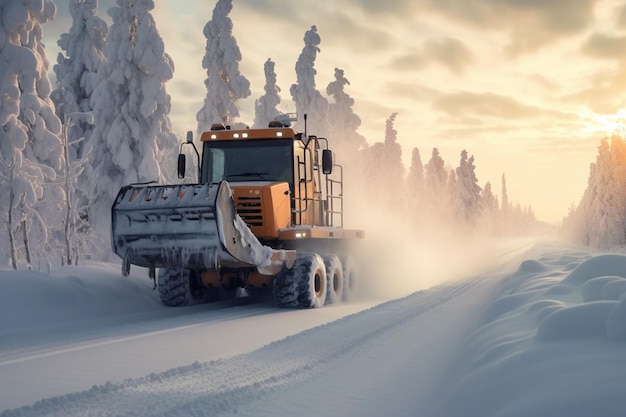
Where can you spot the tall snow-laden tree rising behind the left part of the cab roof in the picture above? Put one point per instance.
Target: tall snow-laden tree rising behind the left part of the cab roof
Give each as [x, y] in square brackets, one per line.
[224, 83]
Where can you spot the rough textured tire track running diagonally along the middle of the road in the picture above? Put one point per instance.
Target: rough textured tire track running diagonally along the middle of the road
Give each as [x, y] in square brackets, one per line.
[221, 386]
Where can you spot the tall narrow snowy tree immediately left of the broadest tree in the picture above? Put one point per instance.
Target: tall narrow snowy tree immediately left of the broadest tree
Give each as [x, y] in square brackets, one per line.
[76, 73]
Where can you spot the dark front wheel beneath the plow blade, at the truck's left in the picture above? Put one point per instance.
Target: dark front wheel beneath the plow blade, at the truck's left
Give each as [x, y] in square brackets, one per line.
[181, 287]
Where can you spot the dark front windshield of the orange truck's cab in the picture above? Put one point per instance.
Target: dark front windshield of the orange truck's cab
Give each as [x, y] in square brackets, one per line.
[247, 160]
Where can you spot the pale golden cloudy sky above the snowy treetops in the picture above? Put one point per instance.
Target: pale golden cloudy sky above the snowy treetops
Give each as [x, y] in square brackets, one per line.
[528, 88]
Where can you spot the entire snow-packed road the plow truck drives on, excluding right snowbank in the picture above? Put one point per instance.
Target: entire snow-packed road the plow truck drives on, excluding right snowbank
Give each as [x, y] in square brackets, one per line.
[363, 358]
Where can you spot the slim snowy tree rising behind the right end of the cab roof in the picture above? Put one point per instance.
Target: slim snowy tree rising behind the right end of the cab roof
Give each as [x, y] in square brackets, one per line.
[305, 95]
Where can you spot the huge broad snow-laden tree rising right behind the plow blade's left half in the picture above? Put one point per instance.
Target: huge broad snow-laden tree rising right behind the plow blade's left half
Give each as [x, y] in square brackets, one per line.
[131, 107]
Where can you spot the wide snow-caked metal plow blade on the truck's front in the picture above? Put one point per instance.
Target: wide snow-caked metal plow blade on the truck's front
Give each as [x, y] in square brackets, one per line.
[187, 226]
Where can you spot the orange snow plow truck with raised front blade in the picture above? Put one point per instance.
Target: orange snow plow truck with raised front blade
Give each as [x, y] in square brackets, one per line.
[265, 215]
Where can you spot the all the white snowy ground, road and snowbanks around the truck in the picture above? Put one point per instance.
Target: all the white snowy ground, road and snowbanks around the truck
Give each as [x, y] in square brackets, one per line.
[534, 328]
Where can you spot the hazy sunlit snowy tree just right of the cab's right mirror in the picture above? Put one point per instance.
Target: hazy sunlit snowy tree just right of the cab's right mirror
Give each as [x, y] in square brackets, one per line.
[342, 120]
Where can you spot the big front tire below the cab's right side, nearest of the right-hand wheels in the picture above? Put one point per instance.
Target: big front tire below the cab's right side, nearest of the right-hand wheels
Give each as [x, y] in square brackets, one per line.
[304, 285]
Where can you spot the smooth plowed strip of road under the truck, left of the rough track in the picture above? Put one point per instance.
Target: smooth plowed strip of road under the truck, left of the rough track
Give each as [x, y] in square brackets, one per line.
[48, 363]
